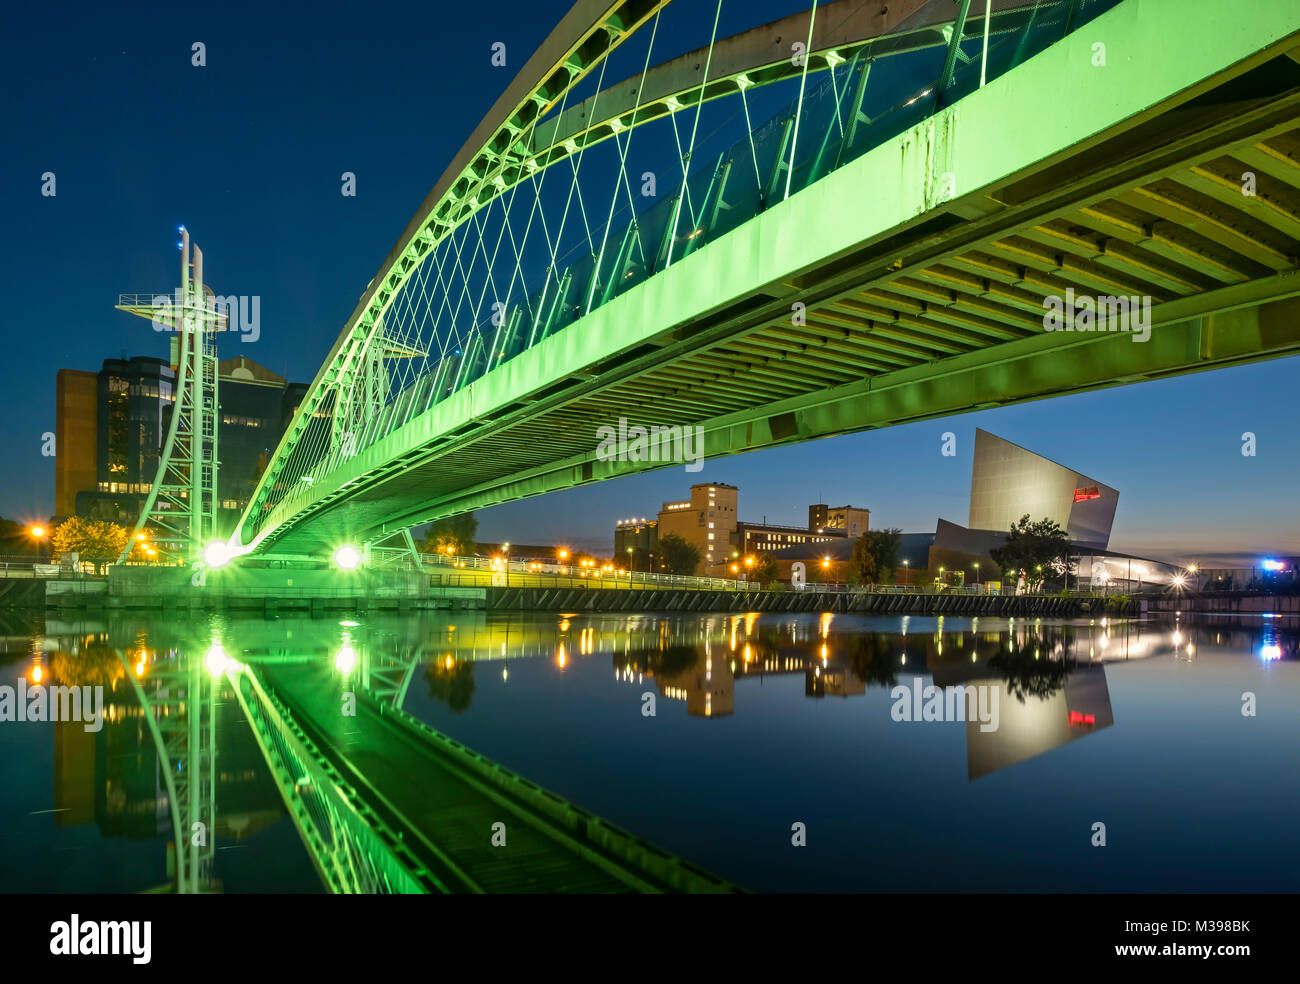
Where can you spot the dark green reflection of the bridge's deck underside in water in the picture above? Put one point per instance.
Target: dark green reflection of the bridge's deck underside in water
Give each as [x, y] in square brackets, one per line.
[444, 801]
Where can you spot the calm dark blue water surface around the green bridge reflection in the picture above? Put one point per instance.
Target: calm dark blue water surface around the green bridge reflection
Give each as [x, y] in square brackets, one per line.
[760, 723]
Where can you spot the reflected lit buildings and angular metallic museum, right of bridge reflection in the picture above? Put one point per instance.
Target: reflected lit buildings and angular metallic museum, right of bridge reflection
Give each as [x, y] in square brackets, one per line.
[1051, 678]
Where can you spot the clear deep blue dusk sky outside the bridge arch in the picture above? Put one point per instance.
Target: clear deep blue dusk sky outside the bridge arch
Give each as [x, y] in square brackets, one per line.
[249, 151]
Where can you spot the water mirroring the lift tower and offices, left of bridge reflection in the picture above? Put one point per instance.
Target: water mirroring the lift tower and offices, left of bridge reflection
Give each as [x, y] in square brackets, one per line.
[144, 778]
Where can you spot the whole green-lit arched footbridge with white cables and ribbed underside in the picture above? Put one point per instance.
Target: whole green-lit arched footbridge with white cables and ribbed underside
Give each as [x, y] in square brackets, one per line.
[856, 216]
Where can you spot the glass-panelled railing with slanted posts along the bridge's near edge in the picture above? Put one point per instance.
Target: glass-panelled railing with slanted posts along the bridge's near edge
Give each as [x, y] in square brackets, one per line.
[853, 109]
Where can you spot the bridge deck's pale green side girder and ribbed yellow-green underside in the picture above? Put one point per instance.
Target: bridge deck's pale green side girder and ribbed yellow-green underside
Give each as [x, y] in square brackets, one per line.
[917, 305]
